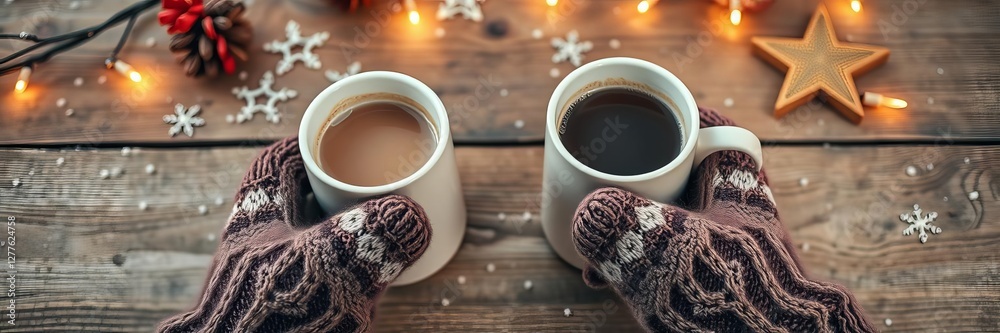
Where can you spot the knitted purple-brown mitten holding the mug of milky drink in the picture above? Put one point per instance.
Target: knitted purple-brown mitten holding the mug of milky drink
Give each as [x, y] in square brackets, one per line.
[274, 272]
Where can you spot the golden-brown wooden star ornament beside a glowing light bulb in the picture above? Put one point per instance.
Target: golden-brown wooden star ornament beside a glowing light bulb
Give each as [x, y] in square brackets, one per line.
[819, 63]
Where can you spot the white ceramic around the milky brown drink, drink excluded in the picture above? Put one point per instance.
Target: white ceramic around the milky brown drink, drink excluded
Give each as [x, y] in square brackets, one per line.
[434, 185]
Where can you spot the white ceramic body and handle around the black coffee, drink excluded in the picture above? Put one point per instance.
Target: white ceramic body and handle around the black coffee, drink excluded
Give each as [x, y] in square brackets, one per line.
[566, 181]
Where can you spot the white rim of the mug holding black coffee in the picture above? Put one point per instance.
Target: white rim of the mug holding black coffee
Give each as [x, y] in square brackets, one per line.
[688, 102]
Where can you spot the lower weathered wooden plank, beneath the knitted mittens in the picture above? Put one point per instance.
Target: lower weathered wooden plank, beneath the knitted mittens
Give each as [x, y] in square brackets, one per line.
[90, 260]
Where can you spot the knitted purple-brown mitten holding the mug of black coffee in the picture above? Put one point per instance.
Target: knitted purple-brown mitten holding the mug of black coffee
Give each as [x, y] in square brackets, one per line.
[726, 265]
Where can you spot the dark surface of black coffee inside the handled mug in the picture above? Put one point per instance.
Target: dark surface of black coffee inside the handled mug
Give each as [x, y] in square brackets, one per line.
[621, 131]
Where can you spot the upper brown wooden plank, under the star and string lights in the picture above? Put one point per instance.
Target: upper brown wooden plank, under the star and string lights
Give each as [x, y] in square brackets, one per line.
[470, 65]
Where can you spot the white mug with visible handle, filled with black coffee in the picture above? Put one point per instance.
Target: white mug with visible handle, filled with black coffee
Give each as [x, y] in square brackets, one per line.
[628, 123]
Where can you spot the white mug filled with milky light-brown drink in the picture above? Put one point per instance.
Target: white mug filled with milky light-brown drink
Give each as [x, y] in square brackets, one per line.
[376, 133]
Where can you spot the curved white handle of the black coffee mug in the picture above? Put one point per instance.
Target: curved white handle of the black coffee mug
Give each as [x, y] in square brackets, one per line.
[719, 138]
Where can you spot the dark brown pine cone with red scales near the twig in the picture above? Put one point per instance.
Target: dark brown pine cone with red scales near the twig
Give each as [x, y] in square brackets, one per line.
[215, 41]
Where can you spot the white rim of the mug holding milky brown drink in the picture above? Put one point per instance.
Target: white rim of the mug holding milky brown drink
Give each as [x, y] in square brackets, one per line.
[314, 110]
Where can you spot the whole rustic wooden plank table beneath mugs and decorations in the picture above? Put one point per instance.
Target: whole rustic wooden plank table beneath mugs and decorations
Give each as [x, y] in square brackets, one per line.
[88, 259]
